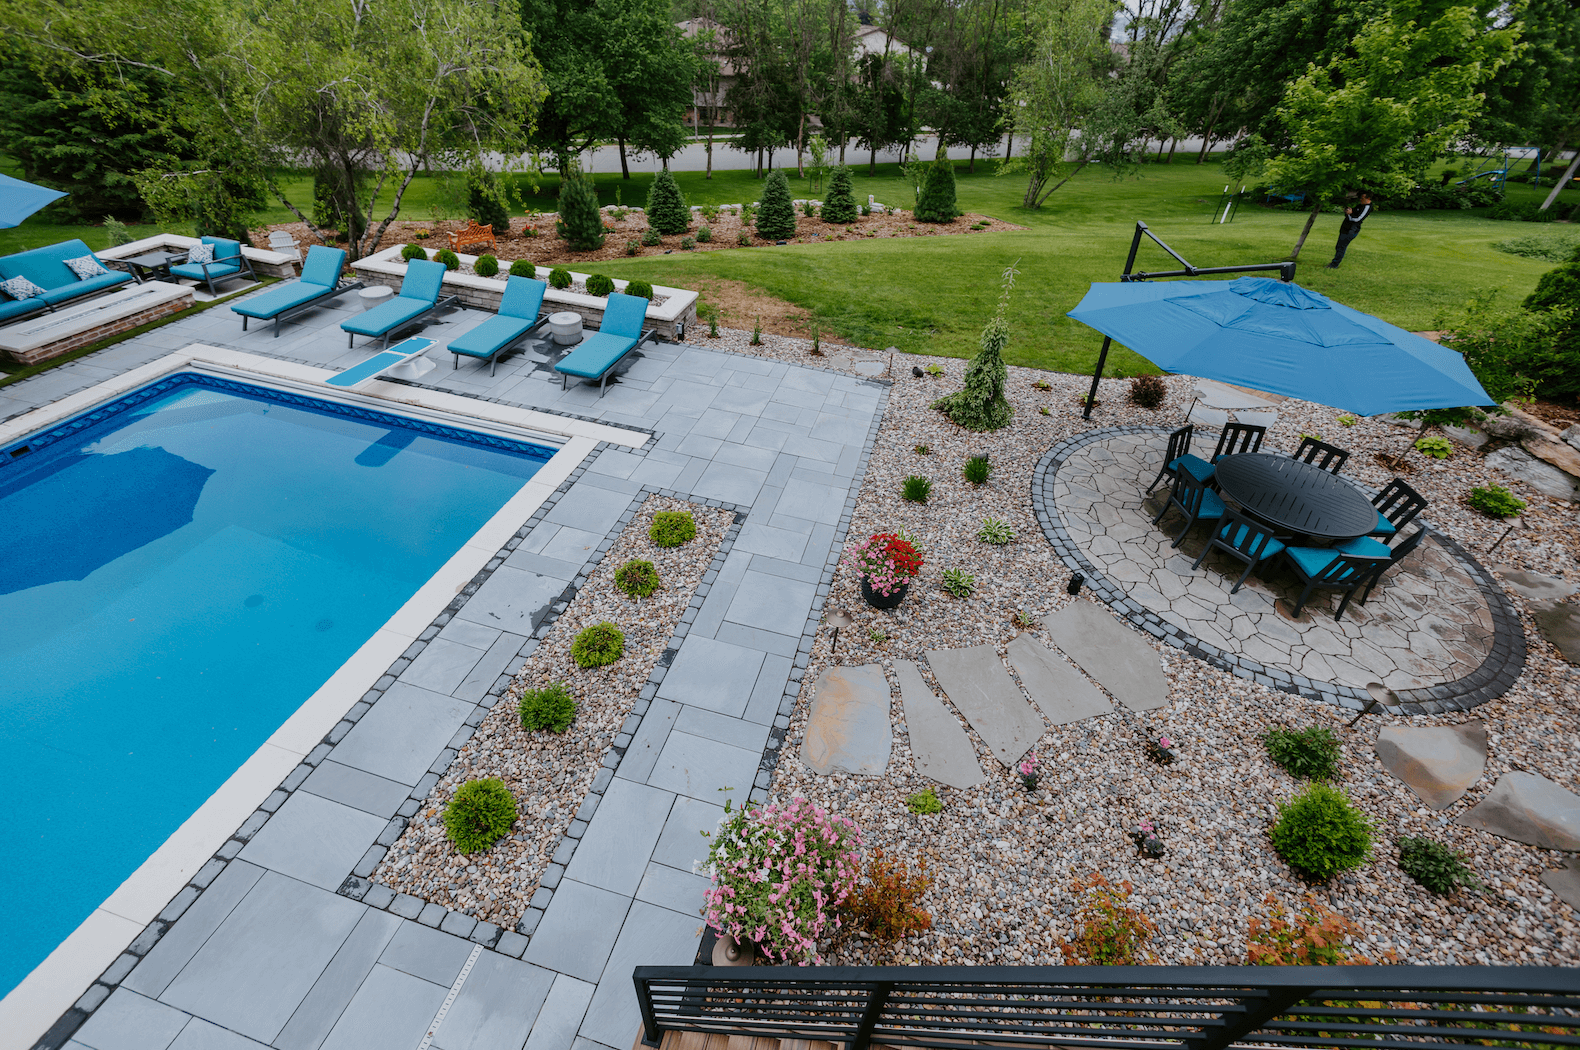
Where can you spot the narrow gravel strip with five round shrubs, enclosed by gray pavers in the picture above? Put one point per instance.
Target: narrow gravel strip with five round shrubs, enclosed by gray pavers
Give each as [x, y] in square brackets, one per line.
[551, 774]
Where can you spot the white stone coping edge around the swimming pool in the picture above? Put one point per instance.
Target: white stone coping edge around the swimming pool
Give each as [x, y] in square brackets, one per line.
[58, 983]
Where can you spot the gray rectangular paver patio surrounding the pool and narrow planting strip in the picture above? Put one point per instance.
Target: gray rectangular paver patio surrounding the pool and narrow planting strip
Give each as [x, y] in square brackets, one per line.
[299, 967]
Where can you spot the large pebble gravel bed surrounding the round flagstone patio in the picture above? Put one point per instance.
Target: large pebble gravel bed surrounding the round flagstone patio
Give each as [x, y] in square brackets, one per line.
[1004, 860]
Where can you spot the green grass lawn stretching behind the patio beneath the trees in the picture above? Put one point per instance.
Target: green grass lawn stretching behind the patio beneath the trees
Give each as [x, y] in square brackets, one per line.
[933, 294]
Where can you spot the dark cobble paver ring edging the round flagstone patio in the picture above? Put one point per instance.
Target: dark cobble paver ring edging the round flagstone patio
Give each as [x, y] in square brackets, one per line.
[1494, 678]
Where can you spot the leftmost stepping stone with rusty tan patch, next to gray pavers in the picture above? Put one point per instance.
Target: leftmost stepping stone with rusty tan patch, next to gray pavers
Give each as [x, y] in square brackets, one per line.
[849, 727]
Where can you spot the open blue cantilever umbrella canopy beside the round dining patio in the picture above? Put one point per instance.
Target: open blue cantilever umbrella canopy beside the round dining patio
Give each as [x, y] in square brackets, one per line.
[1282, 339]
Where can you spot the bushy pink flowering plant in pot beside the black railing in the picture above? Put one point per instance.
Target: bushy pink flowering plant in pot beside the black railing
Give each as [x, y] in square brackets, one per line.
[780, 876]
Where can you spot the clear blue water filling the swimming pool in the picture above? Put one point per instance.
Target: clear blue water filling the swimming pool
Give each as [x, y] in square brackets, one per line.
[179, 571]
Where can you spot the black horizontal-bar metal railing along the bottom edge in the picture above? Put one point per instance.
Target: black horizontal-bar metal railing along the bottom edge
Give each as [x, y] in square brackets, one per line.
[1121, 1008]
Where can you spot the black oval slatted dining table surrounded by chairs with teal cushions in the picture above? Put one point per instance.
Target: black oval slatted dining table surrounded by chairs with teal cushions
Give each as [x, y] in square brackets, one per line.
[1296, 497]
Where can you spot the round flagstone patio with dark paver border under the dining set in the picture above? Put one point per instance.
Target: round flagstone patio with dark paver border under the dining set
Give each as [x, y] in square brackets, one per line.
[1437, 629]
